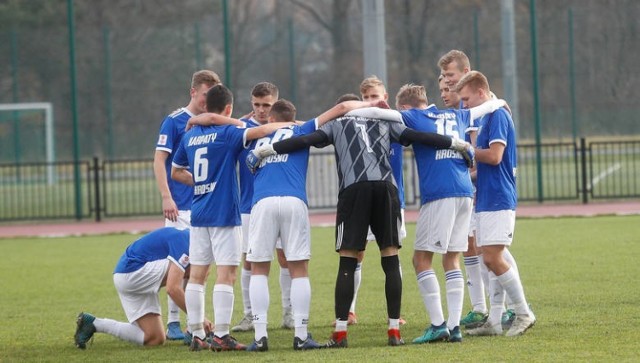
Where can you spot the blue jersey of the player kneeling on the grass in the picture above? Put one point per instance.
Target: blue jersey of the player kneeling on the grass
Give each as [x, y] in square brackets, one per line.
[164, 243]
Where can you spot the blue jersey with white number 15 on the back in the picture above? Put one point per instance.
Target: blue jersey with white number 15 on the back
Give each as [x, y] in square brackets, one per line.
[442, 173]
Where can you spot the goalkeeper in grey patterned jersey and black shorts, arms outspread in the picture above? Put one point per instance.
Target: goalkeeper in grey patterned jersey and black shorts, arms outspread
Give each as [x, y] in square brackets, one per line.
[368, 198]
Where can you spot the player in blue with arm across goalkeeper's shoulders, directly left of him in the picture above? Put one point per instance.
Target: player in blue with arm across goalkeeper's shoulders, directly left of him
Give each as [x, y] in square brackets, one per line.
[280, 210]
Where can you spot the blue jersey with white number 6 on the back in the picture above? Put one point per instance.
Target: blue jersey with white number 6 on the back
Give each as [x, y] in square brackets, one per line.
[211, 153]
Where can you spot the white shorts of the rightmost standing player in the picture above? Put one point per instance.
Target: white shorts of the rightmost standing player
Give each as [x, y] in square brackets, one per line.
[495, 228]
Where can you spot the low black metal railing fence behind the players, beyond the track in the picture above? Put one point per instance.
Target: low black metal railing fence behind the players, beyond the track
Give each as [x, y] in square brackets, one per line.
[123, 188]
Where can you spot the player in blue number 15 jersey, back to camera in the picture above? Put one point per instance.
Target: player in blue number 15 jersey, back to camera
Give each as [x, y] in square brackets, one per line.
[446, 199]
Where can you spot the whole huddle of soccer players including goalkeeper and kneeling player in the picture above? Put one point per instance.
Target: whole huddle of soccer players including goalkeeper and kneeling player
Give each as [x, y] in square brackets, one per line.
[234, 194]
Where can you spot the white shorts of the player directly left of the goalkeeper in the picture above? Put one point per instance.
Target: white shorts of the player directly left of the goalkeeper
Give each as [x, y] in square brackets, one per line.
[284, 217]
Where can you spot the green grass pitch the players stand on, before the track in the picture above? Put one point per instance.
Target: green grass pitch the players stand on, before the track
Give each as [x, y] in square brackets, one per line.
[579, 275]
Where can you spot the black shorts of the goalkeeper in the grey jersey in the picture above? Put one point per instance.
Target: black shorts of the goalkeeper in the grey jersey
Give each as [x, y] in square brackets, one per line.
[364, 204]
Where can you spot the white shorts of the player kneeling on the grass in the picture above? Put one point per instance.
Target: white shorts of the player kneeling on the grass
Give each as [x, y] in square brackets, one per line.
[138, 290]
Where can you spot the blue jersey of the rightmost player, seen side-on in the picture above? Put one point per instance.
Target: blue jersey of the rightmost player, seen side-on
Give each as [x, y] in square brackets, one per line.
[496, 184]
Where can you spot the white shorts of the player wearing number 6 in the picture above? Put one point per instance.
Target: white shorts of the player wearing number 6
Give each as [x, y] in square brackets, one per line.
[219, 245]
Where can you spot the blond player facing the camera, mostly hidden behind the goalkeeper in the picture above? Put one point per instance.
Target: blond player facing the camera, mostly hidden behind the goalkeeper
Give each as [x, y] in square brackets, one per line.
[372, 89]
